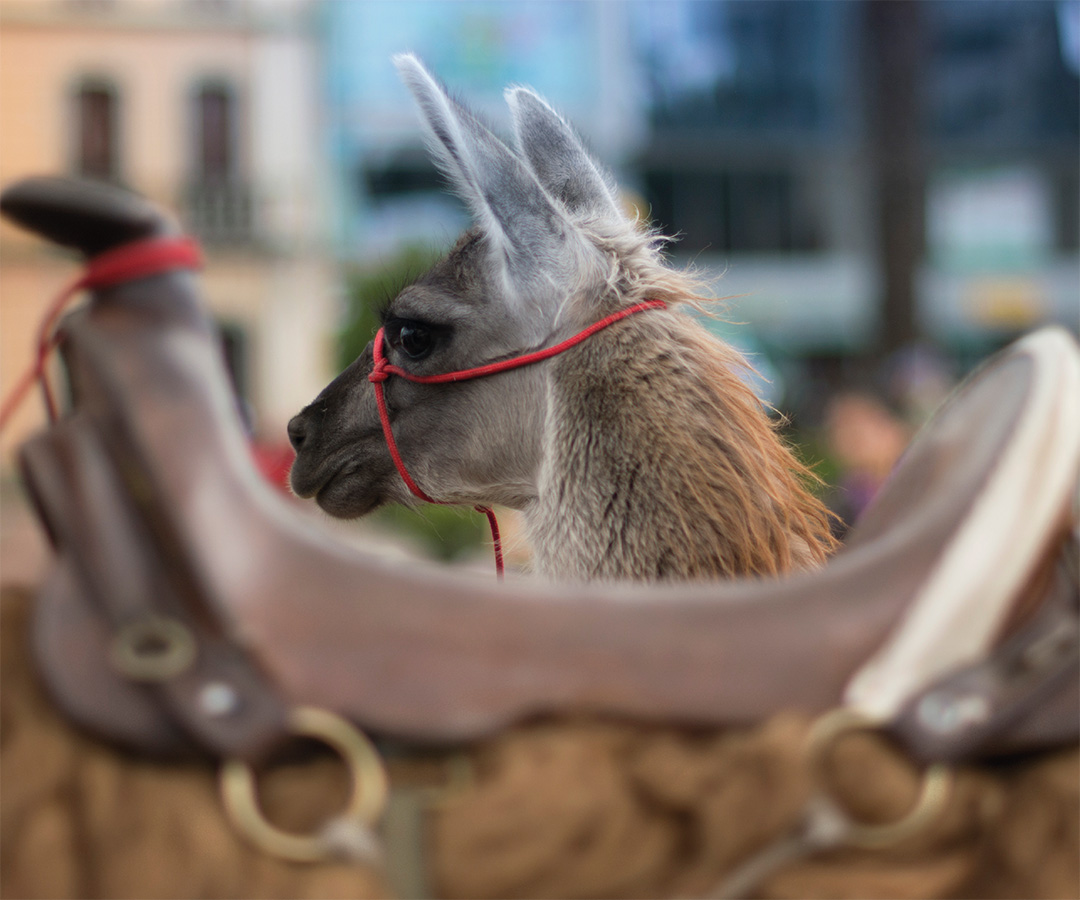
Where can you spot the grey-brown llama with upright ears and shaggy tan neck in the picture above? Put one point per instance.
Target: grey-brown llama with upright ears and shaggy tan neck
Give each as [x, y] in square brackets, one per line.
[640, 454]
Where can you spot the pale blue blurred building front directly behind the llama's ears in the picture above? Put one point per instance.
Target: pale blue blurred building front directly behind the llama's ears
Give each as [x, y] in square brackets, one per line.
[577, 53]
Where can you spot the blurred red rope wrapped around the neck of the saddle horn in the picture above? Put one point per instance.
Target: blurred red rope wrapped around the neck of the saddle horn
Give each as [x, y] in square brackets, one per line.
[127, 263]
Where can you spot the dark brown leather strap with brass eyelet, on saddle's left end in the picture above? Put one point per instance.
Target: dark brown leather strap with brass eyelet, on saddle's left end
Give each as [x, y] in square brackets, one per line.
[105, 516]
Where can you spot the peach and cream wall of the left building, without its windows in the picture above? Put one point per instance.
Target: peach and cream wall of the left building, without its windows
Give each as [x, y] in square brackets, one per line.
[156, 56]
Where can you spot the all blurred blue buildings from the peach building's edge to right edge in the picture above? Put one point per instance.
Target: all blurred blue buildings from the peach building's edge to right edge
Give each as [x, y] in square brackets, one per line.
[765, 135]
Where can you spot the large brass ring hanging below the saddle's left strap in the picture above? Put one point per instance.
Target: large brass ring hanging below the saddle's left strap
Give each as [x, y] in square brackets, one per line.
[367, 802]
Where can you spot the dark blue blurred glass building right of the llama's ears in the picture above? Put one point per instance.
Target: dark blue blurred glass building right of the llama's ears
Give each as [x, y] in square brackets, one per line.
[825, 147]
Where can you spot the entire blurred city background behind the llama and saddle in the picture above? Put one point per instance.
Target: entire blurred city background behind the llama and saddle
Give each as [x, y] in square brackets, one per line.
[886, 192]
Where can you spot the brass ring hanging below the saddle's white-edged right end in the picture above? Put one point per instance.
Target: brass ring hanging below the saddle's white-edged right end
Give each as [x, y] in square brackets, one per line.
[934, 792]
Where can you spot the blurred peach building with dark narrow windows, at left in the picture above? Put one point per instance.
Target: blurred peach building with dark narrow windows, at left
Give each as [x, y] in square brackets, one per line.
[210, 109]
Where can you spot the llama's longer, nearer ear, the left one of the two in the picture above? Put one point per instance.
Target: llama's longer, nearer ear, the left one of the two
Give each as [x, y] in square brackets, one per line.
[528, 231]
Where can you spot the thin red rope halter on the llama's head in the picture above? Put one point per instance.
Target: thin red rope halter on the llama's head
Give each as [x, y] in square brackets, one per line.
[383, 370]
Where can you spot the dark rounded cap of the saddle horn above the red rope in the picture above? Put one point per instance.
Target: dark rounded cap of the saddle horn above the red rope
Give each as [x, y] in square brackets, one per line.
[88, 217]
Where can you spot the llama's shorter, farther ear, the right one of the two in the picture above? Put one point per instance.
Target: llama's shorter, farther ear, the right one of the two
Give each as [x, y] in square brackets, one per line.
[559, 158]
